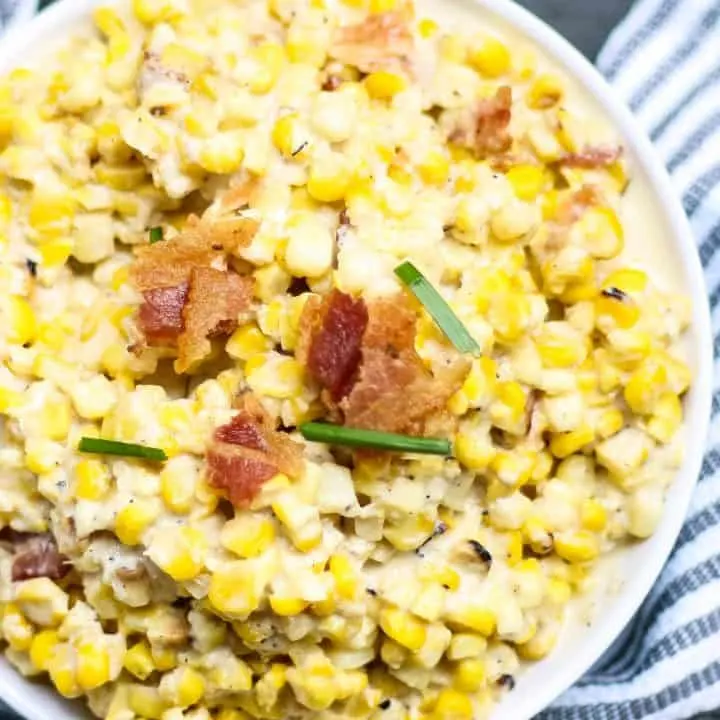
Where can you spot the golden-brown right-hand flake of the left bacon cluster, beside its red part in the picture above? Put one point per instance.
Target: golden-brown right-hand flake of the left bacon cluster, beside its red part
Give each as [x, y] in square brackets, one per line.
[214, 301]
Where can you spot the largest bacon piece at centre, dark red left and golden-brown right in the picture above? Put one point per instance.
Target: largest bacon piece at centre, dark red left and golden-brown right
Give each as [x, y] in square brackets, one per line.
[364, 357]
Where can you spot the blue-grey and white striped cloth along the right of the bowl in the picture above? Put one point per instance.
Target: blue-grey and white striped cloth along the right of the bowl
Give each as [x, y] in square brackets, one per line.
[664, 60]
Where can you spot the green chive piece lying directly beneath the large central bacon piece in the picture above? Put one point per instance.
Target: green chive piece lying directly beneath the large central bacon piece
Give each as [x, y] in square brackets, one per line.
[374, 439]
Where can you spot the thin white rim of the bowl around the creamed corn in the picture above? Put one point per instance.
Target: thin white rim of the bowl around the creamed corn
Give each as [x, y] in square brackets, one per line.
[680, 234]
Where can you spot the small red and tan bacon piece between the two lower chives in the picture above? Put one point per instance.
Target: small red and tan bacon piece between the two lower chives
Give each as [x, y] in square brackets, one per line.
[247, 452]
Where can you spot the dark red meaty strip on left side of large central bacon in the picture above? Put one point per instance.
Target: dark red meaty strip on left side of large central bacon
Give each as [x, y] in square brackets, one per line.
[334, 354]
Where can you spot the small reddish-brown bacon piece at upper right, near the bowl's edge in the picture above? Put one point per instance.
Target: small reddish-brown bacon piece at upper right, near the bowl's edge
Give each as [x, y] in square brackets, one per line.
[485, 129]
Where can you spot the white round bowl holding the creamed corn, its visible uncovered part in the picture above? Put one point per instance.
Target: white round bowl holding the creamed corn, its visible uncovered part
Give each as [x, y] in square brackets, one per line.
[582, 646]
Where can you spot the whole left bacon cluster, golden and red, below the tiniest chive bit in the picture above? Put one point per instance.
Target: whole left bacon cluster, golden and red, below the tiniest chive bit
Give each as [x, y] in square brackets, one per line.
[188, 295]
